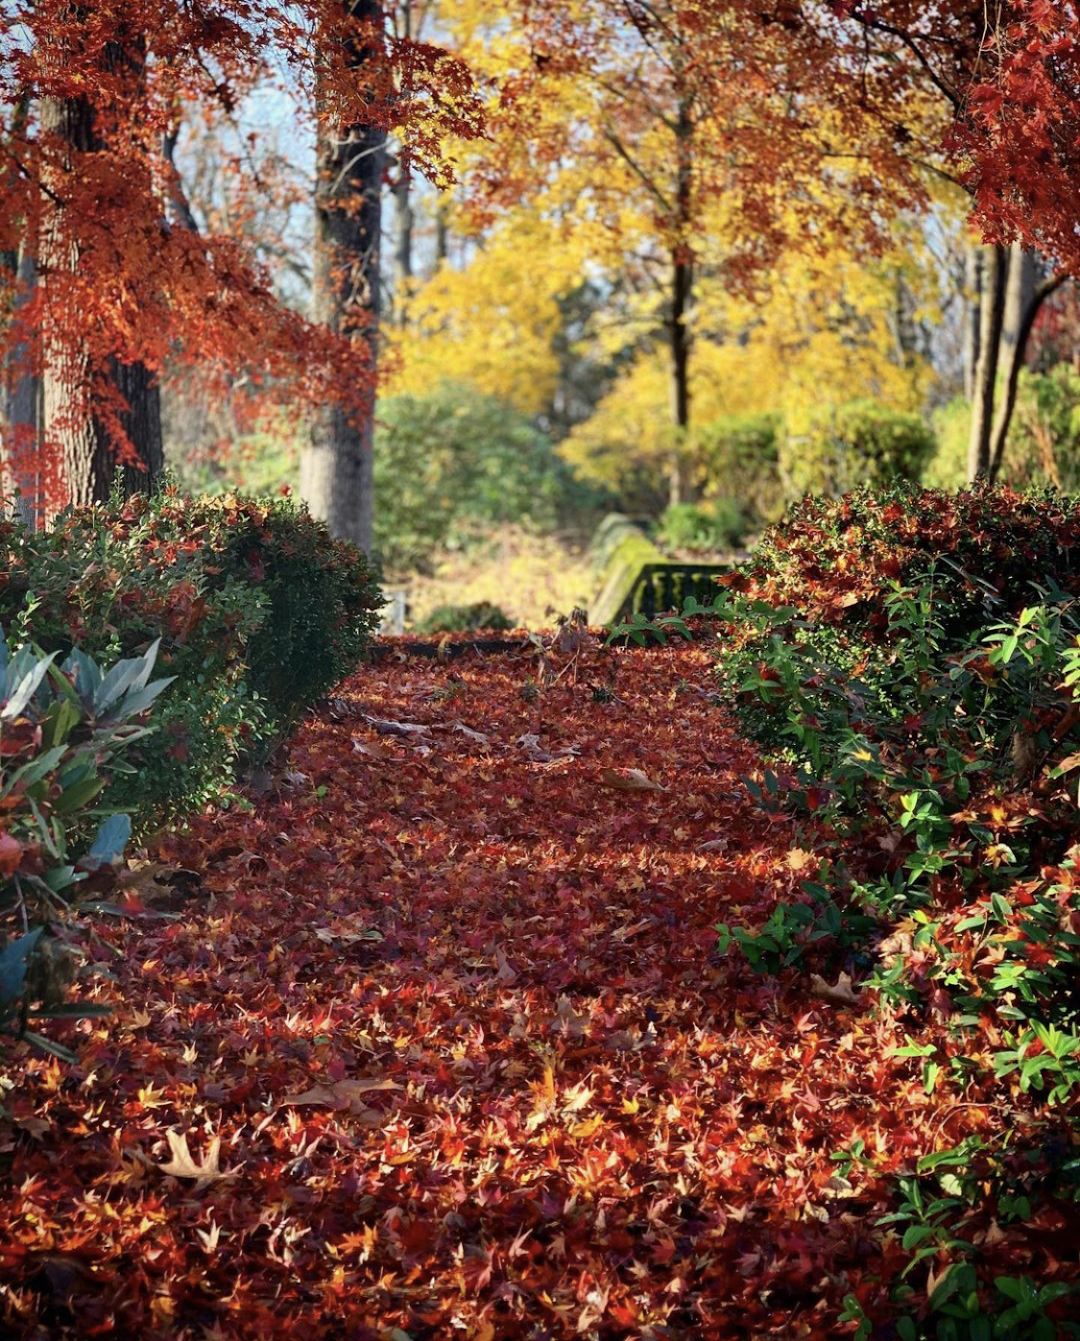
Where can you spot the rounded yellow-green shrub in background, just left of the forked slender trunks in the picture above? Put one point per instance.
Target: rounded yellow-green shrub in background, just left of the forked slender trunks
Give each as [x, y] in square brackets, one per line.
[863, 445]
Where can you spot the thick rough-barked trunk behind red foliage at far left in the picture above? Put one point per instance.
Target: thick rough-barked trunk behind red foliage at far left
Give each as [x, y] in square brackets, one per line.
[91, 466]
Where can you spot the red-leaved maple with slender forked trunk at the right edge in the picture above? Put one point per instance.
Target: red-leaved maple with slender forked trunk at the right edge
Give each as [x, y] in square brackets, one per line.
[995, 92]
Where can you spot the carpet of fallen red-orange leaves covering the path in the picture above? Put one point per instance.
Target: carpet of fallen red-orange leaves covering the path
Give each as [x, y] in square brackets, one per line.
[435, 1043]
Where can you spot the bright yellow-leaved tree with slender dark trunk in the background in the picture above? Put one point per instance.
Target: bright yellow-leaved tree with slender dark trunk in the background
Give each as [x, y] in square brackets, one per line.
[618, 166]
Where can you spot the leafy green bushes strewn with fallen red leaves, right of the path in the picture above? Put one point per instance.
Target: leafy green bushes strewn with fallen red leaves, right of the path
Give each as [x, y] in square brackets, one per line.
[912, 666]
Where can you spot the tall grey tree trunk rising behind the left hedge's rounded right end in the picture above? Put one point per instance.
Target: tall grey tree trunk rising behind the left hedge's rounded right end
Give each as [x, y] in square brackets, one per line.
[337, 474]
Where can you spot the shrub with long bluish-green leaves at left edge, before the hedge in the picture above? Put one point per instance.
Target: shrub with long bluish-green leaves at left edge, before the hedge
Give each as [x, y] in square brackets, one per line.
[64, 727]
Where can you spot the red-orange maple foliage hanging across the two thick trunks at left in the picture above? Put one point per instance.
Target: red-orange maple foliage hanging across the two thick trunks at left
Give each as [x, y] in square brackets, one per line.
[121, 276]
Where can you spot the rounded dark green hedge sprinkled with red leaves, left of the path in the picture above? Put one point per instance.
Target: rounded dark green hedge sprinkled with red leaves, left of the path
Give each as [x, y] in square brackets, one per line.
[258, 612]
